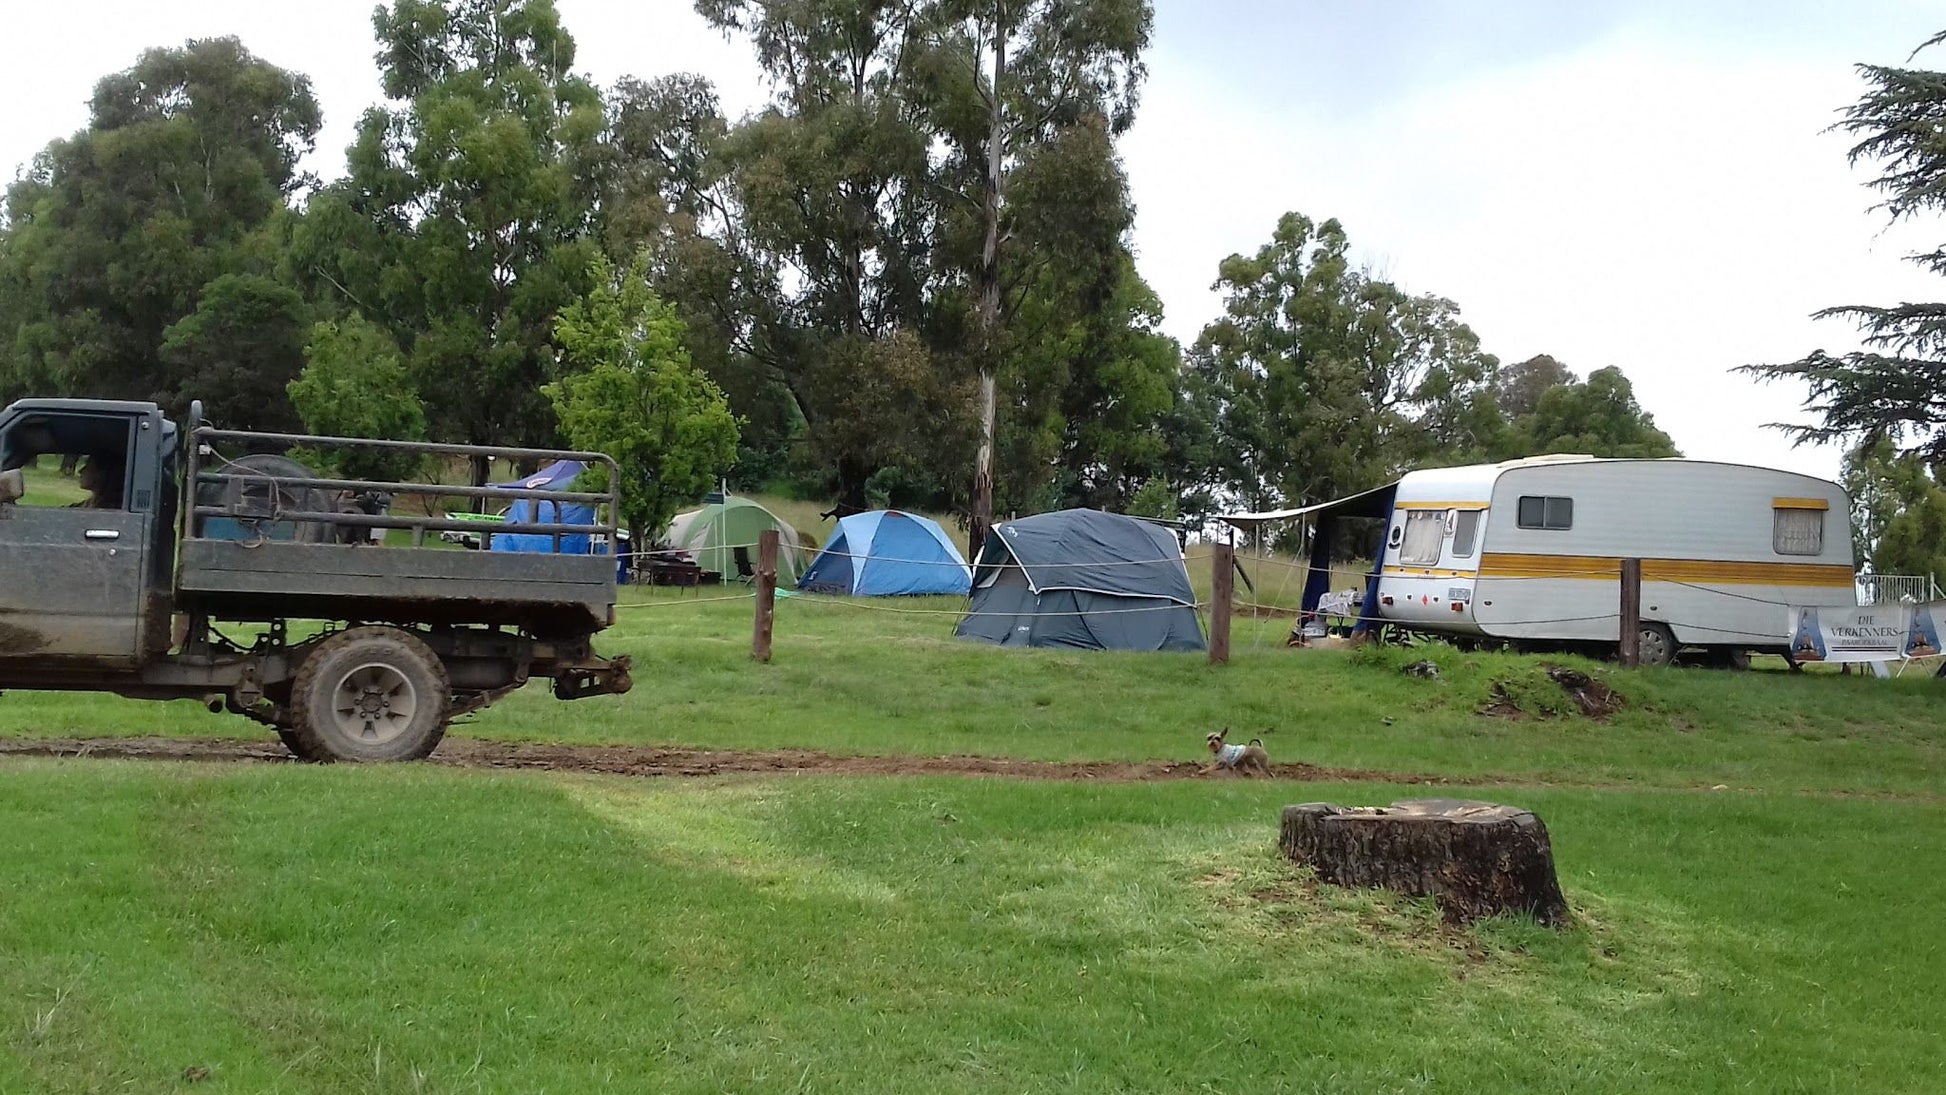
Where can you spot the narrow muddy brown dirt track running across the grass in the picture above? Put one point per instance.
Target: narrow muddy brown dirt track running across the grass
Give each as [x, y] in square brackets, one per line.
[653, 761]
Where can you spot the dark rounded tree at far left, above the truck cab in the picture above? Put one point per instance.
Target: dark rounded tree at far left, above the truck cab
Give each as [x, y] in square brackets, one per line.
[116, 236]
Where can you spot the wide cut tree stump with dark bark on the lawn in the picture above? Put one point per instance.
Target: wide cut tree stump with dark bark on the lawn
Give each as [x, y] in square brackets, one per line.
[1476, 859]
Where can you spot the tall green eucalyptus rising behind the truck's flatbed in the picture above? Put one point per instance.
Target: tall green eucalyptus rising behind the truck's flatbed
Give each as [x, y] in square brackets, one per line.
[468, 217]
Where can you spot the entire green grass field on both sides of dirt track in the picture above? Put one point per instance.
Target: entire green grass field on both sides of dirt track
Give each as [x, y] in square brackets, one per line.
[1754, 863]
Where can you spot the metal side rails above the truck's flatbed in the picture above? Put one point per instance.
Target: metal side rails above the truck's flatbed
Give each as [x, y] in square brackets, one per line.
[207, 437]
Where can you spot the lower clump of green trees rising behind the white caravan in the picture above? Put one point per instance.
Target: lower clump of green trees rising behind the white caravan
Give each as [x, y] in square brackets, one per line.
[1322, 380]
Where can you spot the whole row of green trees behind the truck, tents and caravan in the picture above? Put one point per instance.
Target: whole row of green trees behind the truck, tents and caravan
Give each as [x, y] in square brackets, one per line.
[908, 279]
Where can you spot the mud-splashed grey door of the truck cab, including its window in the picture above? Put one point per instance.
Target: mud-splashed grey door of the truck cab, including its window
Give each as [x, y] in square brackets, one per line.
[71, 547]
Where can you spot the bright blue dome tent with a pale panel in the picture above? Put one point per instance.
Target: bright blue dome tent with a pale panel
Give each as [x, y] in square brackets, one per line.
[886, 553]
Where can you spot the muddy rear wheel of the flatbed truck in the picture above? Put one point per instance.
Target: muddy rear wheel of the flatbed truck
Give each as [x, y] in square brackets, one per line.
[371, 695]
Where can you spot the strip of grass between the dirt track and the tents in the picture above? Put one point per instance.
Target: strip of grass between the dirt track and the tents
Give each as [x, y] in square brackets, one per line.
[886, 680]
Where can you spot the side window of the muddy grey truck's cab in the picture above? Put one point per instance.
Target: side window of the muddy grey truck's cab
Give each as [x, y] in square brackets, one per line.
[71, 460]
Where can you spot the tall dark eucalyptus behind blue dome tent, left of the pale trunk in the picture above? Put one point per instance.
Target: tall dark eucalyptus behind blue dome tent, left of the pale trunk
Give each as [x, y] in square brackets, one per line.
[832, 236]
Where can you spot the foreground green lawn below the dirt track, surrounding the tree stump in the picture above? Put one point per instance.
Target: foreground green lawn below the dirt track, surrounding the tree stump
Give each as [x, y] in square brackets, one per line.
[414, 929]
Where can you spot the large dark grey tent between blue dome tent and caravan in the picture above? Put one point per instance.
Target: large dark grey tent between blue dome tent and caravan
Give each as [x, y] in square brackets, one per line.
[1083, 579]
